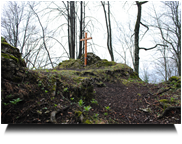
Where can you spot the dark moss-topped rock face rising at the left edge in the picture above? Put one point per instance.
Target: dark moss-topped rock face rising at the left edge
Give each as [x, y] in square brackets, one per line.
[12, 71]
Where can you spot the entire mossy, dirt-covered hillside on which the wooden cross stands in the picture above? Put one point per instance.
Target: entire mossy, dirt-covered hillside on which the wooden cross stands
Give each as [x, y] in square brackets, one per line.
[102, 92]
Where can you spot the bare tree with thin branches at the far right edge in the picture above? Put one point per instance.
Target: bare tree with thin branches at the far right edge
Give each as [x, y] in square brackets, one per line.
[170, 30]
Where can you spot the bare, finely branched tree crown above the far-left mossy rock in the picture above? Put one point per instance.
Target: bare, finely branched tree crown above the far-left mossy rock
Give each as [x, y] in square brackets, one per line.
[15, 14]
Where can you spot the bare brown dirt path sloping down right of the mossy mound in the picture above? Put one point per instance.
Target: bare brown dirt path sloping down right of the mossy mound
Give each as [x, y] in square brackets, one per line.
[127, 102]
